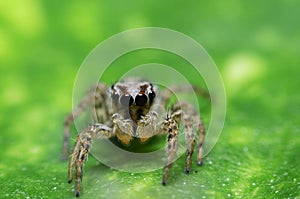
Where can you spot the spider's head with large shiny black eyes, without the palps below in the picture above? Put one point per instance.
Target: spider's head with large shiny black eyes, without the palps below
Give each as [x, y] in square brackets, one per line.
[133, 98]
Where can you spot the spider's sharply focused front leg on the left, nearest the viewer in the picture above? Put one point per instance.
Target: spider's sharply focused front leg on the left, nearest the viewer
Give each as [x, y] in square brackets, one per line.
[81, 151]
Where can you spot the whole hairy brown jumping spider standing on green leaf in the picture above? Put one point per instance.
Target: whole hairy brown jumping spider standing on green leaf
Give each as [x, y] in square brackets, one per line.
[126, 110]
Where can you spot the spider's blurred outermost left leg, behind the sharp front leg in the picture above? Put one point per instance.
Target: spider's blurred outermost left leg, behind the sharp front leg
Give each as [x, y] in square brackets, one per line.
[94, 97]
